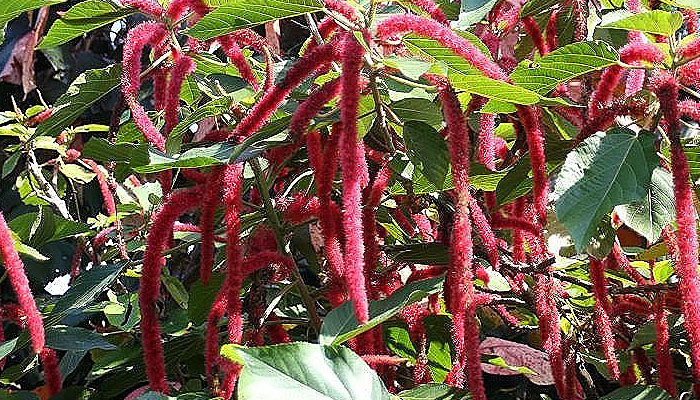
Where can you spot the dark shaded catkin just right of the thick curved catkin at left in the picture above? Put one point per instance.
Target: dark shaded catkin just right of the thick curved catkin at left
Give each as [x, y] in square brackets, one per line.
[212, 198]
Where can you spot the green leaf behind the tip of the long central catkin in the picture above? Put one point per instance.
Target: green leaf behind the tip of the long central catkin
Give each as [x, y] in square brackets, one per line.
[341, 324]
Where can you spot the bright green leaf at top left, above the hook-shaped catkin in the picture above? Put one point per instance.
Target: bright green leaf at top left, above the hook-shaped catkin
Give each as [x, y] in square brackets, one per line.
[82, 18]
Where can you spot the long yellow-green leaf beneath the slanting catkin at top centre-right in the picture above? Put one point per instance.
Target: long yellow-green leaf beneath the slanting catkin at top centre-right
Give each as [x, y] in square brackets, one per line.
[464, 76]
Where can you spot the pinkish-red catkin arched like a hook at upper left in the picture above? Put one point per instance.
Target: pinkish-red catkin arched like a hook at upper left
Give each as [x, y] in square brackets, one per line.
[138, 37]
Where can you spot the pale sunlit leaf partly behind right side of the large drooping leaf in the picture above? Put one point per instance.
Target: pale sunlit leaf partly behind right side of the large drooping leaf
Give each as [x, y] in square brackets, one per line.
[649, 216]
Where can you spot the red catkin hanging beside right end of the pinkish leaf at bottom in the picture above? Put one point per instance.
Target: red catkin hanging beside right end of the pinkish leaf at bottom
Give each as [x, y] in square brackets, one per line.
[548, 319]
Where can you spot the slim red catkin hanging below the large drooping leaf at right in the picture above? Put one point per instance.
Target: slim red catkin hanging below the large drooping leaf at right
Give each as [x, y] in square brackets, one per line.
[601, 311]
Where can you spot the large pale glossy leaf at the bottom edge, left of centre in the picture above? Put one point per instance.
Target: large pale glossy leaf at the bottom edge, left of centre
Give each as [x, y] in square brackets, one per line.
[304, 371]
